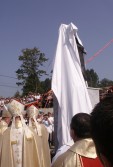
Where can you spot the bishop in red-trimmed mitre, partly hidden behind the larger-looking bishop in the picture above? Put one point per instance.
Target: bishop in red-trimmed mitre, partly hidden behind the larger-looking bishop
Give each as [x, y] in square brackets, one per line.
[42, 133]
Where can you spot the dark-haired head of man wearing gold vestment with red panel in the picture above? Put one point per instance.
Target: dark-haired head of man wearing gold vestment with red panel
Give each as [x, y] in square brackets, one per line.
[80, 123]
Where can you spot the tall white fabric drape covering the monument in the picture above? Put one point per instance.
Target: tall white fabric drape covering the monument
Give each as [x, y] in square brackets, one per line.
[68, 83]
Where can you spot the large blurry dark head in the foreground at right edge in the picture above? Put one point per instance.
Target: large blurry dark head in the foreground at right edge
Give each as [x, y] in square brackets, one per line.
[102, 127]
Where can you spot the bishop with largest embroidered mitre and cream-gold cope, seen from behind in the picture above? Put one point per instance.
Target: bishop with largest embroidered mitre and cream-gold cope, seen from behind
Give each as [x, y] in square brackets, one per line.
[19, 146]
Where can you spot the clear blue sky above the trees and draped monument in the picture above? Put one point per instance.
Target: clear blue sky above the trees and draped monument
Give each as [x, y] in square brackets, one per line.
[35, 23]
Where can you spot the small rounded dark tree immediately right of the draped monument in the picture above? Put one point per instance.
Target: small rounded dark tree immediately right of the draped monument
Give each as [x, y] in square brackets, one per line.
[92, 78]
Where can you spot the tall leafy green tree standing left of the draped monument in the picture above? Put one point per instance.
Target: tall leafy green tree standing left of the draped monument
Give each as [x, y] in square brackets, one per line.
[31, 69]
